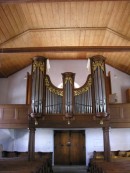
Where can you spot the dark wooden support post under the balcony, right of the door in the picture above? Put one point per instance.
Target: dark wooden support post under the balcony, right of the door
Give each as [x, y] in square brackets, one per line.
[106, 143]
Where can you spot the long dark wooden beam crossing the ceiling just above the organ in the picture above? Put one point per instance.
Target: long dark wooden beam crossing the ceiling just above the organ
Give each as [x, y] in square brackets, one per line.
[67, 49]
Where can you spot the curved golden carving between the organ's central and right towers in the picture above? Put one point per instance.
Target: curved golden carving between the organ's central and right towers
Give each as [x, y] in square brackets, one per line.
[84, 89]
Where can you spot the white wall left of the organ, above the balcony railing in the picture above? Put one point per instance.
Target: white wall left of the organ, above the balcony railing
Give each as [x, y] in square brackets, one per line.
[13, 88]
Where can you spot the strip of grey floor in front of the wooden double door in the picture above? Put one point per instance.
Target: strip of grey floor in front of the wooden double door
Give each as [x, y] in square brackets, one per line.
[69, 169]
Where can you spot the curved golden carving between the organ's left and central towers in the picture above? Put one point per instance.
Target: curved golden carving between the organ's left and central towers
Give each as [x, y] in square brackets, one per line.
[52, 89]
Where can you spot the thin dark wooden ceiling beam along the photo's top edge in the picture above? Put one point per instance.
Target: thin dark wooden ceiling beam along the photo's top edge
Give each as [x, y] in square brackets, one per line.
[36, 1]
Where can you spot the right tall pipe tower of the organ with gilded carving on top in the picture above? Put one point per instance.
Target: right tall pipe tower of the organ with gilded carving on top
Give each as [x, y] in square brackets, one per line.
[98, 85]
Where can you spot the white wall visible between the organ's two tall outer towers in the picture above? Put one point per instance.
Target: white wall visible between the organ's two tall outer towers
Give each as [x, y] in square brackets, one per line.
[60, 66]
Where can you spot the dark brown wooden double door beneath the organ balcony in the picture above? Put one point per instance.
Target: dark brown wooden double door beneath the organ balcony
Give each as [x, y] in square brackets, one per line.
[69, 147]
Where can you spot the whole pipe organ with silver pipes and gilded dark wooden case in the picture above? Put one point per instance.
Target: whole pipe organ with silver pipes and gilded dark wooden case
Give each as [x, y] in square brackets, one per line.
[48, 99]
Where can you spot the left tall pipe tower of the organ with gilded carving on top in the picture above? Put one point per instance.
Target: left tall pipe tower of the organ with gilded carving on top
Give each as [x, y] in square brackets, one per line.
[38, 89]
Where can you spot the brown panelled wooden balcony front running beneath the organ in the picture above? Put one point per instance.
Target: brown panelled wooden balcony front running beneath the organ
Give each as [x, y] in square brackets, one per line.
[16, 116]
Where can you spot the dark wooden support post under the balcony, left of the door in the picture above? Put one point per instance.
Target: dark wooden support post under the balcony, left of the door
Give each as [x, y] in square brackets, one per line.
[31, 144]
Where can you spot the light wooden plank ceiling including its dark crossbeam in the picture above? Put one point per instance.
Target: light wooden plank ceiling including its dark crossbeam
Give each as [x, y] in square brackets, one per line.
[63, 30]
